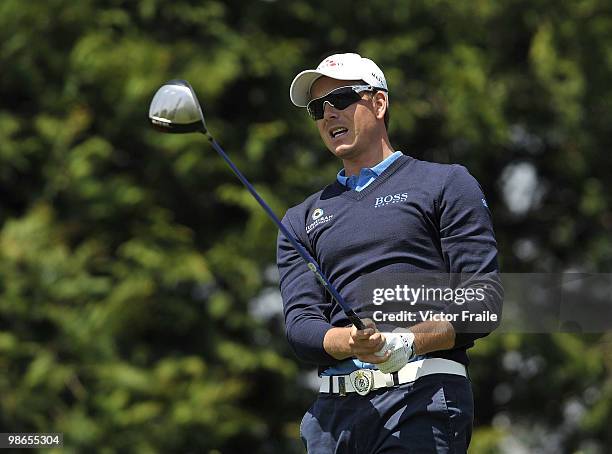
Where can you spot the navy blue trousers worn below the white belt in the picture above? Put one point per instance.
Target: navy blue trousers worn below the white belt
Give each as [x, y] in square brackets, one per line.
[434, 414]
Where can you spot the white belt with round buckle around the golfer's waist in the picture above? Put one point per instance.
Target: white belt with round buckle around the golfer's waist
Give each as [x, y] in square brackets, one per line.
[362, 381]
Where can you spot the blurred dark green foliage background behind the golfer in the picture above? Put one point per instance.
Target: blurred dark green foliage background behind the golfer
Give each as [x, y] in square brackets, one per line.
[139, 304]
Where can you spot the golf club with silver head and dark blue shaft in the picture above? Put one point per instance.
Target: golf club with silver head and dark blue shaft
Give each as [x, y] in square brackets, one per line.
[175, 109]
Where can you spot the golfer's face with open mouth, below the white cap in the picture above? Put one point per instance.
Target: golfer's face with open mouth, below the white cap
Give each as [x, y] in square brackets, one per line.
[358, 119]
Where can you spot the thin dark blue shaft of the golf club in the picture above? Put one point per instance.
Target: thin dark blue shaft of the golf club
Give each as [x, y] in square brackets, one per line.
[310, 262]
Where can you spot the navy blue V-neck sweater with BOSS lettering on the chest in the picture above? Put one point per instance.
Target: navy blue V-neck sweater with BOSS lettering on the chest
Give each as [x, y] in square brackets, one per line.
[416, 217]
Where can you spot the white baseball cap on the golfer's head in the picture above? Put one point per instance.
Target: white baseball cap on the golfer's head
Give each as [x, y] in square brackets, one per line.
[338, 66]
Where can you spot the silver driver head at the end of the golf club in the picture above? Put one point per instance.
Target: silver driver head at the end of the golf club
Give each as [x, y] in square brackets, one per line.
[175, 109]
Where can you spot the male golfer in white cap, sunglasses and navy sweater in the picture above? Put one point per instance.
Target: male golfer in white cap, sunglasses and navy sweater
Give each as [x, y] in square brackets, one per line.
[397, 390]
